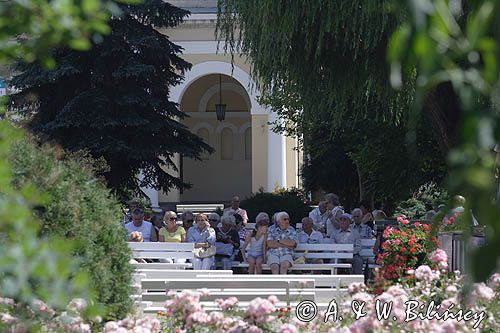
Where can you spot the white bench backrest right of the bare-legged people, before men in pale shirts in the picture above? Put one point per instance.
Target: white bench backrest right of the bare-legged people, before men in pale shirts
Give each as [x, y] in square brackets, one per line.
[325, 251]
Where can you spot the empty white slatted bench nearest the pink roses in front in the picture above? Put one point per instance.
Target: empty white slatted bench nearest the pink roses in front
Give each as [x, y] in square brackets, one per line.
[244, 288]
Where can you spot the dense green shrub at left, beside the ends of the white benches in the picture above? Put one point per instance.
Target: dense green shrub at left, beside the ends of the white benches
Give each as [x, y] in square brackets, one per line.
[79, 208]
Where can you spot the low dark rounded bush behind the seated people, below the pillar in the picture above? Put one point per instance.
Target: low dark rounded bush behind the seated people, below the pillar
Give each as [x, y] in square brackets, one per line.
[291, 201]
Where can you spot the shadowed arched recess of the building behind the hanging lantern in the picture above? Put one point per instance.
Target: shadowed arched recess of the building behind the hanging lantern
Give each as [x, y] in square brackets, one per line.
[228, 171]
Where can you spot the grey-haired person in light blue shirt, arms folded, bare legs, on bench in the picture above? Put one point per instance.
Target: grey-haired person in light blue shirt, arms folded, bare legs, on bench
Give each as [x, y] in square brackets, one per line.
[280, 244]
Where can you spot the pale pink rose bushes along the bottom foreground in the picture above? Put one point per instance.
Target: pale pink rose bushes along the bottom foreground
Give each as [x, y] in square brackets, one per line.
[438, 292]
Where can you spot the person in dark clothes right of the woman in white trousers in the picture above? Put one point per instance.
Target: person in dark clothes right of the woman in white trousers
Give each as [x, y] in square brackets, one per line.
[227, 241]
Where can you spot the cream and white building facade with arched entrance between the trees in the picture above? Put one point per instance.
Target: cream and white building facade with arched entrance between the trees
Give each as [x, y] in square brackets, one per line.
[248, 156]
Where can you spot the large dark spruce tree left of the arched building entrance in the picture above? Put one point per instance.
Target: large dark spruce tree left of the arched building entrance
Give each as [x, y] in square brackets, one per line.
[113, 100]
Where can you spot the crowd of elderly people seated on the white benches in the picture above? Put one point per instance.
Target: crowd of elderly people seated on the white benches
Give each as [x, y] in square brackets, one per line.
[221, 240]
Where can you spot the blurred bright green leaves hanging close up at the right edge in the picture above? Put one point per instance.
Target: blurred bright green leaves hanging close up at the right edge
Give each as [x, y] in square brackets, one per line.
[447, 43]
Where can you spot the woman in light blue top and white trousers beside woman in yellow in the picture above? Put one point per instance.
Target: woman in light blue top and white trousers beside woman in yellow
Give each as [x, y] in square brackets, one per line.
[203, 236]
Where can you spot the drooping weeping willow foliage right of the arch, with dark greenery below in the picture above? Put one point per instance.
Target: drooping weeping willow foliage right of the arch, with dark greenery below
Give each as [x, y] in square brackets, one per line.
[350, 118]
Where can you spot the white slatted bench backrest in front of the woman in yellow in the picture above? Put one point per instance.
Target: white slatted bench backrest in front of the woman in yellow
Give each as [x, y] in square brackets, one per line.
[160, 250]
